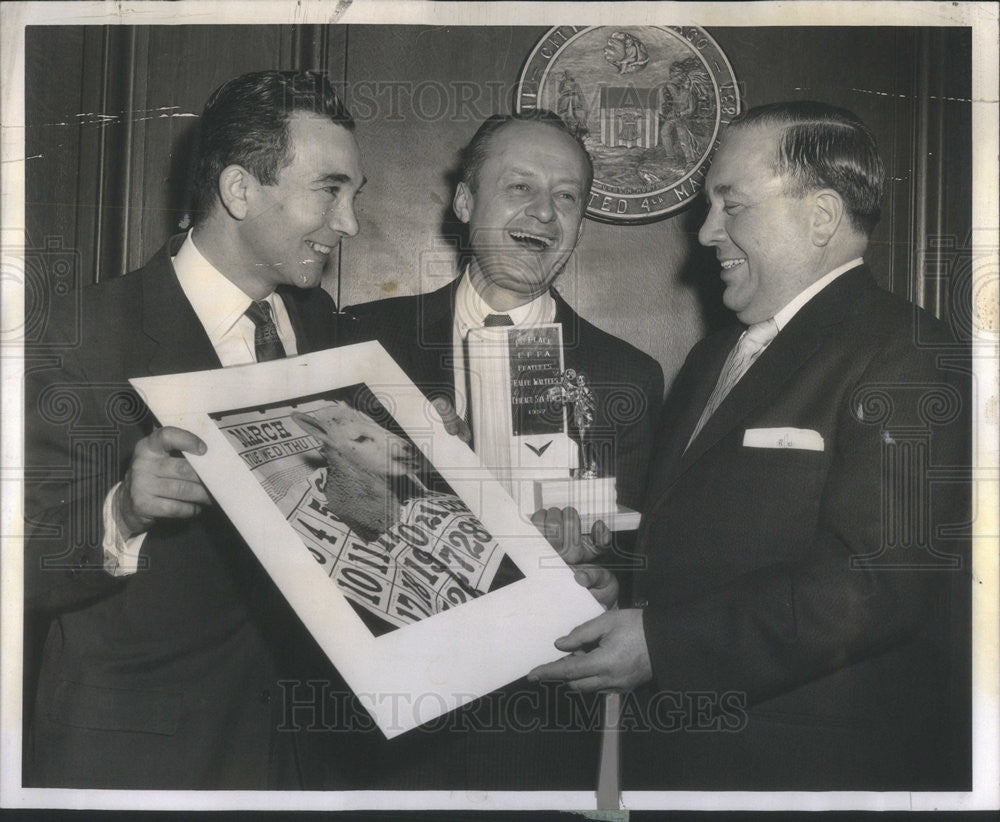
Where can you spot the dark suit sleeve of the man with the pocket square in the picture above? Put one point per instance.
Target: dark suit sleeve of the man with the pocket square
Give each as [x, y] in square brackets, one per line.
[782, 625]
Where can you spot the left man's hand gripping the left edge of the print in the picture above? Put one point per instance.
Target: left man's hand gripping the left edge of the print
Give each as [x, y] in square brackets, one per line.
[159, 485]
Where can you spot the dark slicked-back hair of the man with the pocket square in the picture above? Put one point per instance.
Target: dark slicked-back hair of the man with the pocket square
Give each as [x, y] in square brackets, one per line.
[822, 146]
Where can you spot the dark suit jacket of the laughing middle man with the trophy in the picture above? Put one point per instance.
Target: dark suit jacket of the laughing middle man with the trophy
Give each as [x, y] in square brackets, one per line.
[524, 736]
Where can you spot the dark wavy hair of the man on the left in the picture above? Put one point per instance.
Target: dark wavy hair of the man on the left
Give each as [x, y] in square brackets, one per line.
[245, 122]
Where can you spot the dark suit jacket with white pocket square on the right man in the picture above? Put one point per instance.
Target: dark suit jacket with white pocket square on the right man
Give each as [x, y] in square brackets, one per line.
[821, 589]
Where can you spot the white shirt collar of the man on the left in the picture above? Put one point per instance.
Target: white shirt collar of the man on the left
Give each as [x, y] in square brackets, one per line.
[218, 301]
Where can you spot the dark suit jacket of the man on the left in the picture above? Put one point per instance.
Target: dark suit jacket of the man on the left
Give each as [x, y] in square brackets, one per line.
[164, 679]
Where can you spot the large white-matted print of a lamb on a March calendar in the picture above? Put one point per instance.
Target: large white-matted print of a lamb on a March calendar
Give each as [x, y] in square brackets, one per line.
[408, 563]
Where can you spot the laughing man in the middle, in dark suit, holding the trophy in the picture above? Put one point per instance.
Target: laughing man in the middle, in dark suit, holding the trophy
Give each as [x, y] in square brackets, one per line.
[524, 184]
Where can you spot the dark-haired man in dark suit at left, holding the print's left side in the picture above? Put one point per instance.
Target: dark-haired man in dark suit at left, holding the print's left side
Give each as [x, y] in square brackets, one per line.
[162, 659]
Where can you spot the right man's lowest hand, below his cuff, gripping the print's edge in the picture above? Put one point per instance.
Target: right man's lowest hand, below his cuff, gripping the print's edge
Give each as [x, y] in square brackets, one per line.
[620, 661]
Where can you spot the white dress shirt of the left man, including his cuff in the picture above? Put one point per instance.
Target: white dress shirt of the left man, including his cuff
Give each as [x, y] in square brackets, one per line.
[220, 306]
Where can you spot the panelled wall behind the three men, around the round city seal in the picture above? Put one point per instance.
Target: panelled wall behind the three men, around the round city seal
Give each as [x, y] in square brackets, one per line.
[112, 112]
